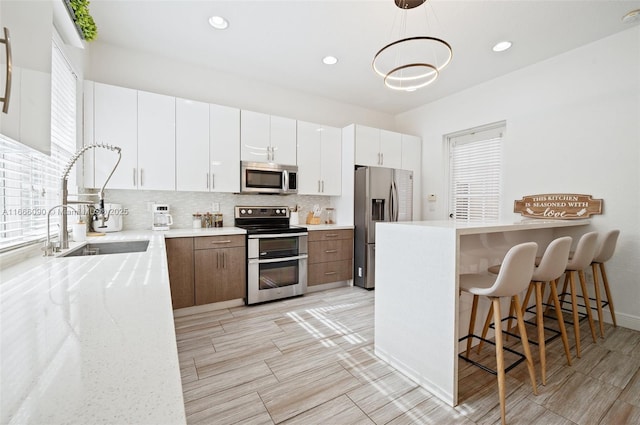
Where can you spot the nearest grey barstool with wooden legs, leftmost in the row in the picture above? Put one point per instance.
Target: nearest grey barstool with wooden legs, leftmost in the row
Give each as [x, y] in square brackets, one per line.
[514, 276]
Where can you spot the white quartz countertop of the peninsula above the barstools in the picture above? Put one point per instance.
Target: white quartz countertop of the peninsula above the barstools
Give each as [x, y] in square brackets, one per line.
[469, 228]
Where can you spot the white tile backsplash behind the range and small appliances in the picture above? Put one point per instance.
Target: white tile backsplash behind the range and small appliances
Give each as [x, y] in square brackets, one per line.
[184, 204]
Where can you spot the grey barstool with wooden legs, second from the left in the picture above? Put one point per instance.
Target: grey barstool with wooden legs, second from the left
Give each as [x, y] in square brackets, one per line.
[551, 267]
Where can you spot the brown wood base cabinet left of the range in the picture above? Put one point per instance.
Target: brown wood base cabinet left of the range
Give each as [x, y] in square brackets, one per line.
[206, 269]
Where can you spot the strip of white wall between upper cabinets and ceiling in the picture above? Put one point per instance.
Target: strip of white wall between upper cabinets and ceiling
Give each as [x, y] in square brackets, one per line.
[123, 67]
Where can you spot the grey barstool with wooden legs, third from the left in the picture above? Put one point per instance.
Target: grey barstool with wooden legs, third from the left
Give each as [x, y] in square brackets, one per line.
[582, 258]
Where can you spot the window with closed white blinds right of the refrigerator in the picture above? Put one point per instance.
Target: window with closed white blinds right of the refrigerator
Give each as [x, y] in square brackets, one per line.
[475, 164]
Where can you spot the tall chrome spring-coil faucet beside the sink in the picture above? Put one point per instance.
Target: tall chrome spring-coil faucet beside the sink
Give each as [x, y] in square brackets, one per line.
[99, 213]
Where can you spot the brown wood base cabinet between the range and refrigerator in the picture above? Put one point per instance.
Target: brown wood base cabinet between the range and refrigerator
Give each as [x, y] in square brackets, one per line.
[330, 256]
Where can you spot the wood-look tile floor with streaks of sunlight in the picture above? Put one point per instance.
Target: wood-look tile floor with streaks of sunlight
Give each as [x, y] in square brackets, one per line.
[310, 360]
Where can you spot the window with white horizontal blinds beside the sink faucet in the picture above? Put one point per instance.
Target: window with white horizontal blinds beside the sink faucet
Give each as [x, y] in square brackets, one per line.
[30, 180]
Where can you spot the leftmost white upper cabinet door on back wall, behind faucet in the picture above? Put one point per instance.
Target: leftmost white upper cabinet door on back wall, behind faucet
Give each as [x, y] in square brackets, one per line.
[115, 122]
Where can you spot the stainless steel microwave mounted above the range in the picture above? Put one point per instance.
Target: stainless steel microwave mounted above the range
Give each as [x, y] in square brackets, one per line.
[263, 177]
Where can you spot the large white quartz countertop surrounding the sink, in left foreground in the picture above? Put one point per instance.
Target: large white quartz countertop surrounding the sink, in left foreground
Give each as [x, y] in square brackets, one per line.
[90, 340]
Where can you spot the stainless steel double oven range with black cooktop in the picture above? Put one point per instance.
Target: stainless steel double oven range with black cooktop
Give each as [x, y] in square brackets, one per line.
[276, 253]
